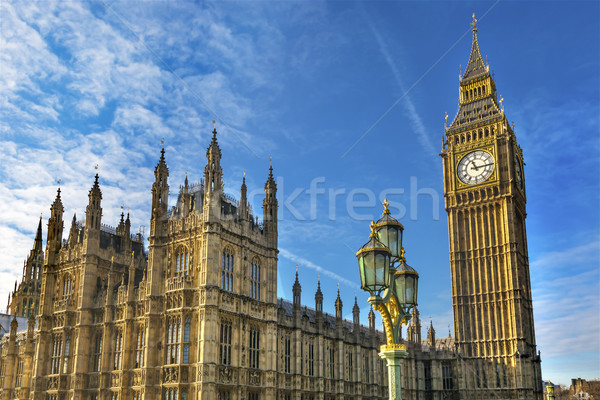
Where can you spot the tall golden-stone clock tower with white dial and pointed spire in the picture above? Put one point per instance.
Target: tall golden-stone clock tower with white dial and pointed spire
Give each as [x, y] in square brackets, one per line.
[485, 199]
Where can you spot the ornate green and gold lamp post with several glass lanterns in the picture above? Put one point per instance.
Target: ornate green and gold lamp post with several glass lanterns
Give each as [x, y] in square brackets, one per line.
[392, 285]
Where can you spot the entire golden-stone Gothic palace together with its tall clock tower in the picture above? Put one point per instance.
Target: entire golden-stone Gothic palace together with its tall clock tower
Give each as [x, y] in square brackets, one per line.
[196, 315]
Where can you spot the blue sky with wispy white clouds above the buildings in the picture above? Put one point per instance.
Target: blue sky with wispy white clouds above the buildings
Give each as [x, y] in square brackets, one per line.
[347, 97]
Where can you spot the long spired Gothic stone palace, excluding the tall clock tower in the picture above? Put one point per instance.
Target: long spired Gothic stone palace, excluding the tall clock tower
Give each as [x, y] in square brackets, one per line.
[195, 318]
